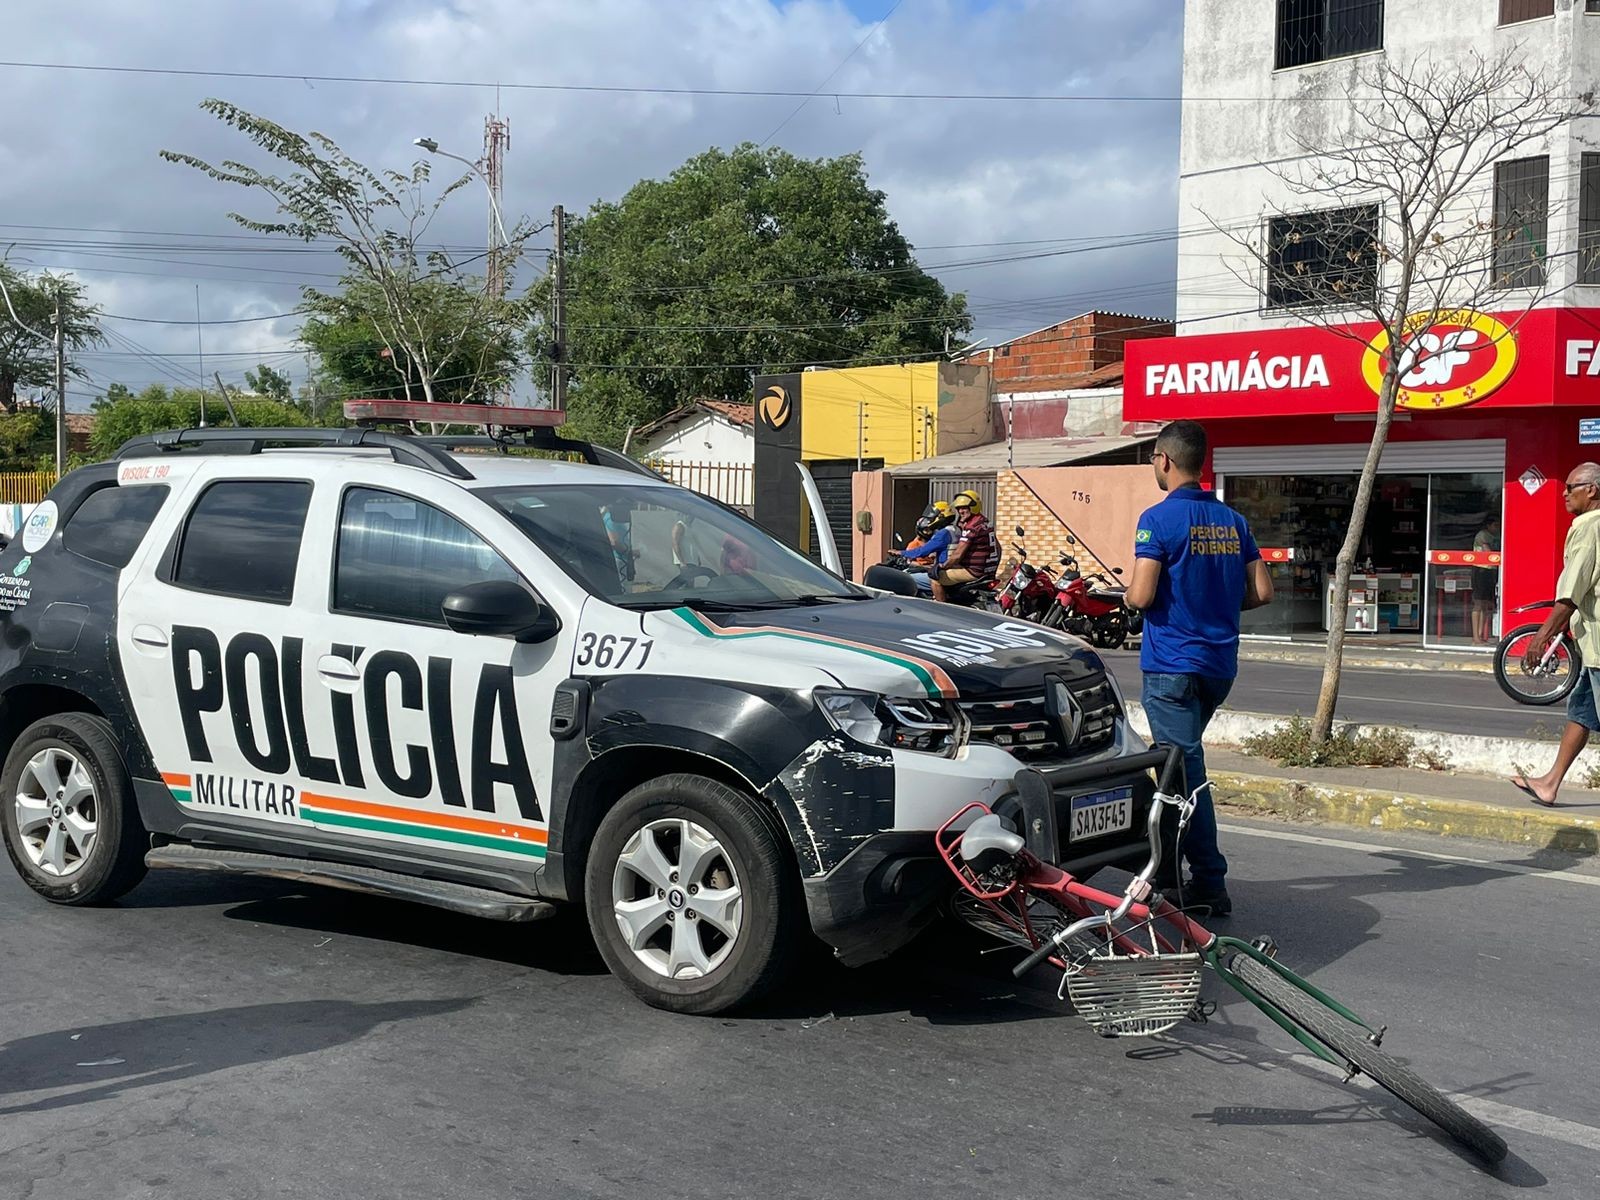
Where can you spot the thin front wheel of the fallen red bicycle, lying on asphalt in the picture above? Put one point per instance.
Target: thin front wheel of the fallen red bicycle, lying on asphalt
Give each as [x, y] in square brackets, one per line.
[1348, 1044]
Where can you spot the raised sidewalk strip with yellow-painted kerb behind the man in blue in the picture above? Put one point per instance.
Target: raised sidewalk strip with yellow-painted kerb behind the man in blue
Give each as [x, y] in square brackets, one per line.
[1430, 802]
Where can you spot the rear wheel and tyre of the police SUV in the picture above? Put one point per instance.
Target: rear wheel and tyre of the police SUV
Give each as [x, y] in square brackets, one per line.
[71, 822]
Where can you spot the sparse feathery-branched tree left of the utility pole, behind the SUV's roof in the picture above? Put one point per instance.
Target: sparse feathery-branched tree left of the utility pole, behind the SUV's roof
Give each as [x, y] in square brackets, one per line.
[377, 220]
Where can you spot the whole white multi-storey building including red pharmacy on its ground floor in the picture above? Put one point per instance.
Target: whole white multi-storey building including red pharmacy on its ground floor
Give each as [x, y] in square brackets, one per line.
[1468, 518]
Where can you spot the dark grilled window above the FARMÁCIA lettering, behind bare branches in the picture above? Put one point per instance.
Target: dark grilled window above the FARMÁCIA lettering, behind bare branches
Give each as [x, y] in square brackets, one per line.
[1322, 258]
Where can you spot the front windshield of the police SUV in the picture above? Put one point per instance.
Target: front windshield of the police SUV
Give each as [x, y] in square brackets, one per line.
[642, 546]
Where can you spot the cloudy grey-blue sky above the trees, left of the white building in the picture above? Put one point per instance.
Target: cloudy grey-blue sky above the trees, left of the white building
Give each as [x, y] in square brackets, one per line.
[1007, 201]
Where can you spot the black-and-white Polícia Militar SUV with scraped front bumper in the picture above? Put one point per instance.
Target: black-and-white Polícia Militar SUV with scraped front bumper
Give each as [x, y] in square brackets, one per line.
[498, 684]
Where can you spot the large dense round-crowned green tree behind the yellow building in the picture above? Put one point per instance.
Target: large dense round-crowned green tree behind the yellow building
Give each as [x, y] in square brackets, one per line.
[740, 263]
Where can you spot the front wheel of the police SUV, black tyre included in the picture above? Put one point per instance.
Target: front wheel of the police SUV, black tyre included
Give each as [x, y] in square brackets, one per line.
[678, 842]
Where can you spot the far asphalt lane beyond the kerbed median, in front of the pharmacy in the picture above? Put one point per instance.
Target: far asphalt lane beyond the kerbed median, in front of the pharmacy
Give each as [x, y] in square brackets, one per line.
[1454, 702]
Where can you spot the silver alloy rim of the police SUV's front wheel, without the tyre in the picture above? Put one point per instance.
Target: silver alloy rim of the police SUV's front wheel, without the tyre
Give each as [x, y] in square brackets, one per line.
[678, 900]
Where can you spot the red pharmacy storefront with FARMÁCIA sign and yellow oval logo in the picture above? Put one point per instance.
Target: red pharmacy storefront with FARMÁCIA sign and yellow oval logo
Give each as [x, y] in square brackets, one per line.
[1466, 519]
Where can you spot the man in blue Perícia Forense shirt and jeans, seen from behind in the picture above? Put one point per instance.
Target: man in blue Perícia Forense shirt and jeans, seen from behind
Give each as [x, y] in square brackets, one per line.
[1196, 570]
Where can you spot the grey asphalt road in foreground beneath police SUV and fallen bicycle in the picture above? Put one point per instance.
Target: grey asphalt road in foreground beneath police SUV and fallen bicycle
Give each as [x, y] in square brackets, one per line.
[233, 1038]
